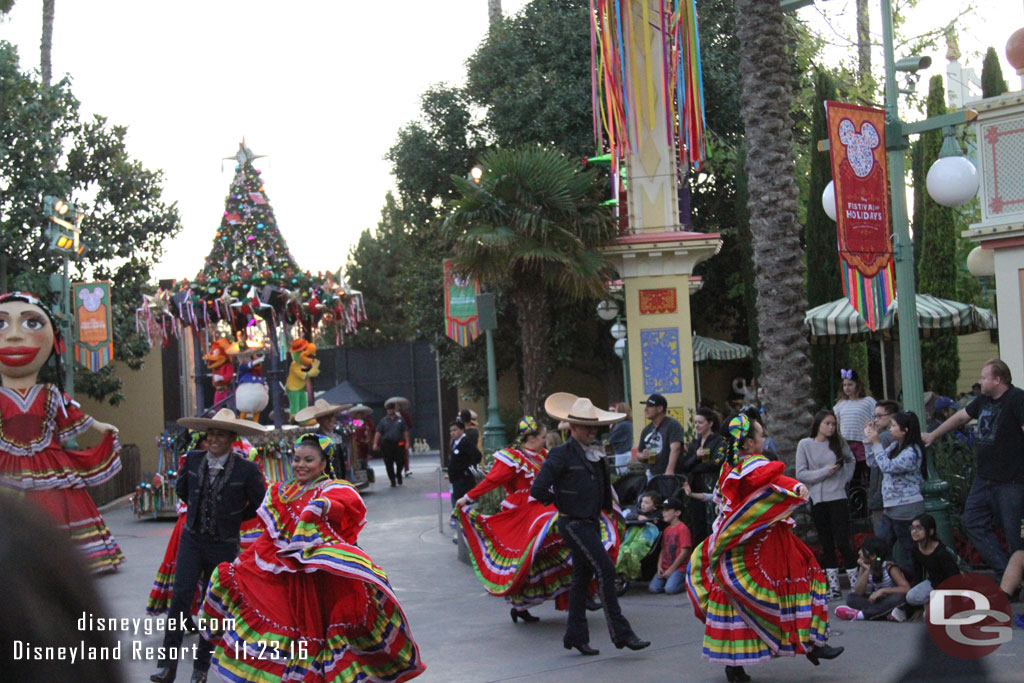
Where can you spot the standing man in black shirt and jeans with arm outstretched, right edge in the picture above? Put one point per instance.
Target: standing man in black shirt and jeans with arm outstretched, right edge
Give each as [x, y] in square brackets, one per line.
[998, 491]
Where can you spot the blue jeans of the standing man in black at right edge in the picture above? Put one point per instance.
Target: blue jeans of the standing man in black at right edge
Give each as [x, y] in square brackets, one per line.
[999, 501]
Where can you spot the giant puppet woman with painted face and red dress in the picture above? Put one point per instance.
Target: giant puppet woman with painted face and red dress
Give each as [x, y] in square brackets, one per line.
[35, 419]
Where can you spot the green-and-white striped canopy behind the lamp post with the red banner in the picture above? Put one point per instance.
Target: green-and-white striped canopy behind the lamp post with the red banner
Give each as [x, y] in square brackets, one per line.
[838, 322]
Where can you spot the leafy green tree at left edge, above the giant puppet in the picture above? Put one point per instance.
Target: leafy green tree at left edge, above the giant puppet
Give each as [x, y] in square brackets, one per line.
[47, 149]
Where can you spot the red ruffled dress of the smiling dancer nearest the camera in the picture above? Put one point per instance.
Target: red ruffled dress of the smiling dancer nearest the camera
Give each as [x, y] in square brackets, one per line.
[308, 605]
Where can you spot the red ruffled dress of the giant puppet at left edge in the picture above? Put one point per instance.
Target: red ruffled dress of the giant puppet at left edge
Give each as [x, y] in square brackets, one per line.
[33, 424]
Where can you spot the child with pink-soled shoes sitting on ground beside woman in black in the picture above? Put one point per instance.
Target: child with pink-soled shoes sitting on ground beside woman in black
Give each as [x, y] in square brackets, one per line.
[881, 586]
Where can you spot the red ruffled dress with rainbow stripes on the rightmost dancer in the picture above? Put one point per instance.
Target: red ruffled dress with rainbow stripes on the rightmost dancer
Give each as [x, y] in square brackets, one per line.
[756, 586]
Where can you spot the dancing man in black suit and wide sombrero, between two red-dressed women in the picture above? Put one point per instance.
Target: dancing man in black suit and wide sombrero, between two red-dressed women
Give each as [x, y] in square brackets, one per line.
[575, 478]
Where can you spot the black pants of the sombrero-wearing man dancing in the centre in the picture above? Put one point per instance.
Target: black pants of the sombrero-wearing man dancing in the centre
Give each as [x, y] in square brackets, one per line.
[590, 561]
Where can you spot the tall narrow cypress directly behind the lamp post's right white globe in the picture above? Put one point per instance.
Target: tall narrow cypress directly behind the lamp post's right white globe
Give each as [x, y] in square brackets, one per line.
[937, 269]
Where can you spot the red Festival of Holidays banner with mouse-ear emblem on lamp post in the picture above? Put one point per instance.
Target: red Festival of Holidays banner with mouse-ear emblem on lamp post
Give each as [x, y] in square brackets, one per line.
[858, 146]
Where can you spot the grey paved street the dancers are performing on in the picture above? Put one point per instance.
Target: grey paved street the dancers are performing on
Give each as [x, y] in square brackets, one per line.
[467, 636]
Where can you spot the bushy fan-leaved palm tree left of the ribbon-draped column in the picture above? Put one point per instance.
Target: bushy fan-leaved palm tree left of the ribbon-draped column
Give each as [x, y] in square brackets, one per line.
[531, 228]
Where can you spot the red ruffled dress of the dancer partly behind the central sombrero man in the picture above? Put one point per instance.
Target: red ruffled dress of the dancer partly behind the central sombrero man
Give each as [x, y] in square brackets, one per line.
[519, 553]
